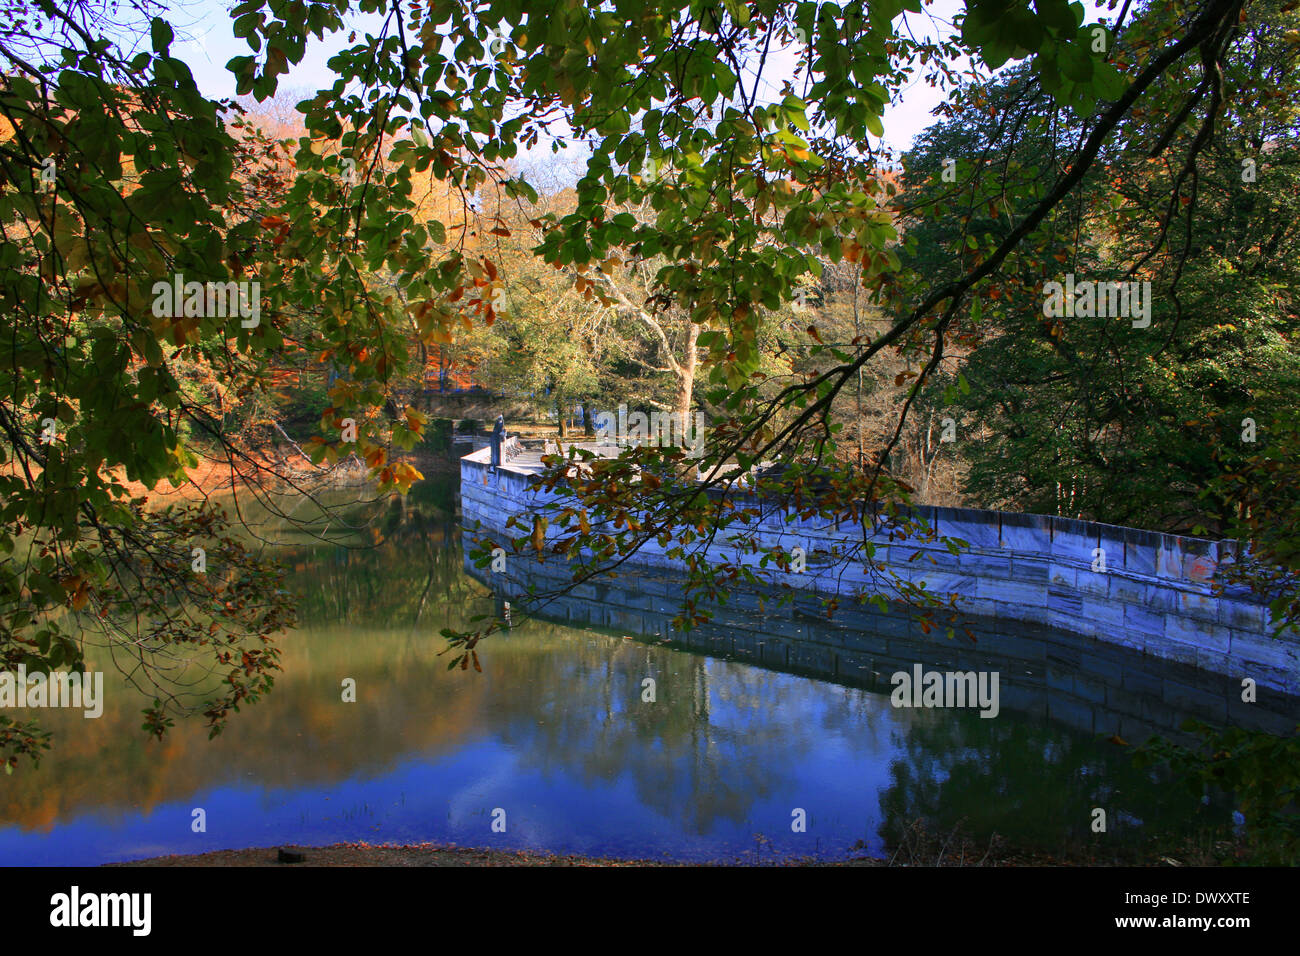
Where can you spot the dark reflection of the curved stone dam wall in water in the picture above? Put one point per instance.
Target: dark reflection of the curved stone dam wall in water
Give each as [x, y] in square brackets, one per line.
[1086, 685]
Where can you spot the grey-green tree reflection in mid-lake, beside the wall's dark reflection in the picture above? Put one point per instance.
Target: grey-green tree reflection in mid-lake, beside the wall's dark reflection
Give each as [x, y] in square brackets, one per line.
[718, 739]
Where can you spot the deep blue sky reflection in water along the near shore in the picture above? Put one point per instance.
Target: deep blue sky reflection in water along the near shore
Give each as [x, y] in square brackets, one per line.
[548, 804]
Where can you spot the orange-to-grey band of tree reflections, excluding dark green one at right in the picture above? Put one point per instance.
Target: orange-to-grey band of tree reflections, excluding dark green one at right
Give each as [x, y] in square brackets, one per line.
[717, 739]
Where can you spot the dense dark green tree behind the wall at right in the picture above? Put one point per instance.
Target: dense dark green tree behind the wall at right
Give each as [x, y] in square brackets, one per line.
[1099, 417]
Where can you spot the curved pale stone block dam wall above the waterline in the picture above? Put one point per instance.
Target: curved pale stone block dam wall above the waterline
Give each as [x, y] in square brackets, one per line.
[1154, 596]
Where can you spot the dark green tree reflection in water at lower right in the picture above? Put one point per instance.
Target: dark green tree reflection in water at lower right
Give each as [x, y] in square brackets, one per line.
[1034, 780]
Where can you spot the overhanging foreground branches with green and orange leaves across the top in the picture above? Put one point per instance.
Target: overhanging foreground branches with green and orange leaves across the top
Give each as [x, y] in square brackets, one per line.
[764, 189]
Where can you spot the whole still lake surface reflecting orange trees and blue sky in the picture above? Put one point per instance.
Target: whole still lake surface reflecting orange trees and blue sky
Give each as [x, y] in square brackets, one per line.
[554, 733]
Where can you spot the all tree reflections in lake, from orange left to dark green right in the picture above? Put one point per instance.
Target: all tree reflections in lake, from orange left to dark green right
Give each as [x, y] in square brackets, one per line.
[720, 739]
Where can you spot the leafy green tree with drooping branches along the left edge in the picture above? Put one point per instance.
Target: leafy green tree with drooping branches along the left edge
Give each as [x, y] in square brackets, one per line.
[118, 175]
